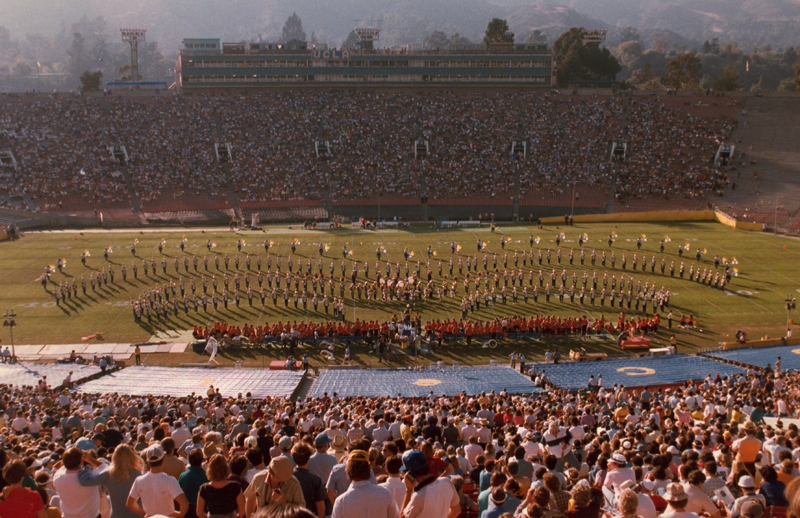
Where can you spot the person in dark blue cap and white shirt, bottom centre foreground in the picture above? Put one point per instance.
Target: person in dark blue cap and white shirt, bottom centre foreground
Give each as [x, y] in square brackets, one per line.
[426, 495]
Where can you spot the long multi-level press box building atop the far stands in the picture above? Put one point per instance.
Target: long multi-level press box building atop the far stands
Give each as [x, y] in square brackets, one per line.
[207, 63]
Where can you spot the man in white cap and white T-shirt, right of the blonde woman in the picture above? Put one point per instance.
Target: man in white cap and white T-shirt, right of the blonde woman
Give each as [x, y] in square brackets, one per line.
[157, 490]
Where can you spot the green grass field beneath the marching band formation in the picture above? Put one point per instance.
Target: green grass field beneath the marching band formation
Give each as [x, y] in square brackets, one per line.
[754, 301]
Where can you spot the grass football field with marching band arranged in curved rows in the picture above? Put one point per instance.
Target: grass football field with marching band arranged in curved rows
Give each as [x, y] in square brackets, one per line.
[753, 301]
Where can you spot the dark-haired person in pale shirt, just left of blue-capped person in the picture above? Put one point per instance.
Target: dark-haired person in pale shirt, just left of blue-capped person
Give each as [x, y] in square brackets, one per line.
[363, 498]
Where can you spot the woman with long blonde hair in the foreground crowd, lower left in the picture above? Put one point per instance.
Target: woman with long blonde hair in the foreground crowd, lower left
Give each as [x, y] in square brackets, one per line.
[117, 477]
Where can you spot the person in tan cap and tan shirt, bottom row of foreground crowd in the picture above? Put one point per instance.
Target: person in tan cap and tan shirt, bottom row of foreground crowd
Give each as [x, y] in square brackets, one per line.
[275, 485]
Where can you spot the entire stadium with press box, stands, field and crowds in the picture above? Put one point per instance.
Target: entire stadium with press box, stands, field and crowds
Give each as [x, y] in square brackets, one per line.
[596, 283]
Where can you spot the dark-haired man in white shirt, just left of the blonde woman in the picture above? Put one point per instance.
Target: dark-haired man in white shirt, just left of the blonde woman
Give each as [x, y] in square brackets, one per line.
[76, 501]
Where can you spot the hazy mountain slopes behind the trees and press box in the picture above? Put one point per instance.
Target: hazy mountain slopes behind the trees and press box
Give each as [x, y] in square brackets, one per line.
[748, 22]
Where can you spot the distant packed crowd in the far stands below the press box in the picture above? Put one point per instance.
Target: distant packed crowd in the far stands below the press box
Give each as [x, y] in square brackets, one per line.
[61, 146]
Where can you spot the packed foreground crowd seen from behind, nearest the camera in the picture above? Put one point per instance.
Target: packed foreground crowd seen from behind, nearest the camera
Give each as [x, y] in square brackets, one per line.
[701, 449]
